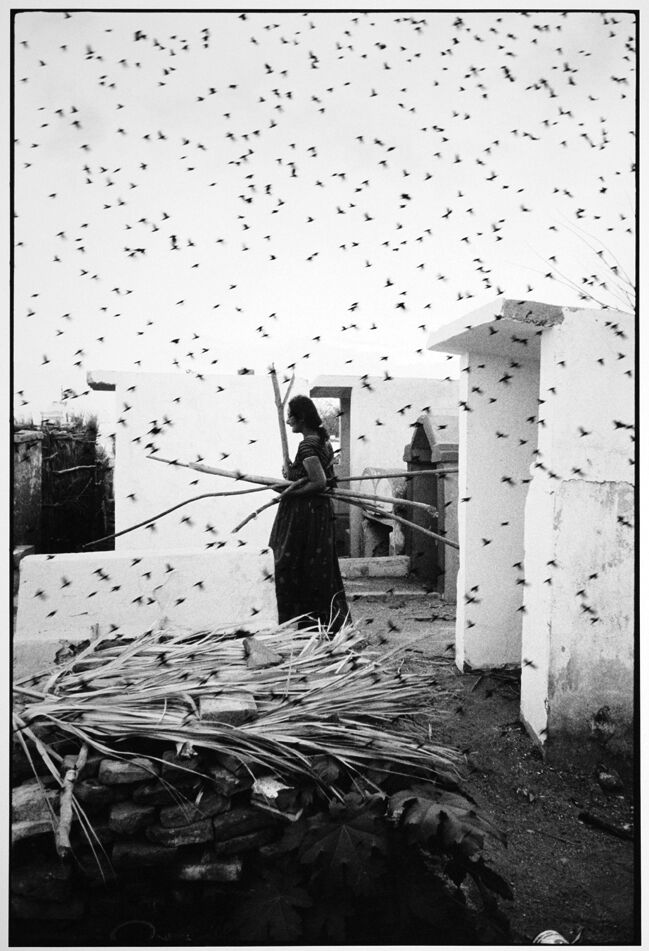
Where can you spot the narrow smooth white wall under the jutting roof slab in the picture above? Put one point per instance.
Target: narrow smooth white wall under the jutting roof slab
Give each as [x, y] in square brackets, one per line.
[490, 521]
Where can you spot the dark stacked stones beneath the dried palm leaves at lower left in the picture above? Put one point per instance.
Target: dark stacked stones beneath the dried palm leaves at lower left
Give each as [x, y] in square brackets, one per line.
[147, 815]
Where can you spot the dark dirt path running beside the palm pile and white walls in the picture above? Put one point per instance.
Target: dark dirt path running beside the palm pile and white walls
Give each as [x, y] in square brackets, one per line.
[565, 875]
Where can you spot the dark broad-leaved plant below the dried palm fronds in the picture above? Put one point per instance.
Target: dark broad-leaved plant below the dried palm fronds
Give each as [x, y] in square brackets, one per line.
[375, 867]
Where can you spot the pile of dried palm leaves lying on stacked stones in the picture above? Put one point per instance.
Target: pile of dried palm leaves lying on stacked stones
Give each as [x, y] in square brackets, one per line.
[325, 694]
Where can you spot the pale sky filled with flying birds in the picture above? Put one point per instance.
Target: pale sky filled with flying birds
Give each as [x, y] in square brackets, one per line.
[202, 192]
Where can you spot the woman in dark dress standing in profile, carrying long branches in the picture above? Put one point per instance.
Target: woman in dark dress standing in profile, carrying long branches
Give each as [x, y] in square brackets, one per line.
[307, 574]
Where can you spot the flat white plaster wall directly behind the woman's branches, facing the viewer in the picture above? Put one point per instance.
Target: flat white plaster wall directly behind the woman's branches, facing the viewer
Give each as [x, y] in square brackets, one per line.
[204, 421]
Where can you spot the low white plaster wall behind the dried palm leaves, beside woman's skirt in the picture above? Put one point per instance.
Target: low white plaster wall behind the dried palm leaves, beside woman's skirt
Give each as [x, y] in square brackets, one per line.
[61, 598]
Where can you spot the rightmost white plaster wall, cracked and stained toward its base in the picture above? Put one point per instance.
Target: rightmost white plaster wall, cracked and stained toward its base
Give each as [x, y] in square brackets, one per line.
[578, 626]
